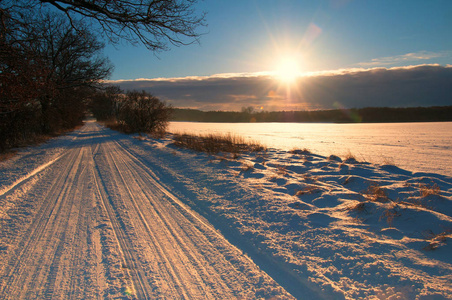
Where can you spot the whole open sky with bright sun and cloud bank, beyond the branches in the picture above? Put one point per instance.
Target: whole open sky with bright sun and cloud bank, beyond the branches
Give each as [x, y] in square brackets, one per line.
[248, 41]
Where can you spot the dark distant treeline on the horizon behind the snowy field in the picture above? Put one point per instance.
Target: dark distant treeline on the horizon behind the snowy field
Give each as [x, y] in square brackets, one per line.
[361, 115]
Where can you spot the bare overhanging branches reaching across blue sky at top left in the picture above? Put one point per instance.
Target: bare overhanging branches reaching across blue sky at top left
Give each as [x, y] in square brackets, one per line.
[153, 23]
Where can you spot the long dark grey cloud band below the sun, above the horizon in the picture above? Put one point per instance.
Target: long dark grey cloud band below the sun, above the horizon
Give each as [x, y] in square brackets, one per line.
[423, 85]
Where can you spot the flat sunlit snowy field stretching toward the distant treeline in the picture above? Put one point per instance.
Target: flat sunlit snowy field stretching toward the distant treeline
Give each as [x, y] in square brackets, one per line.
[411, 146]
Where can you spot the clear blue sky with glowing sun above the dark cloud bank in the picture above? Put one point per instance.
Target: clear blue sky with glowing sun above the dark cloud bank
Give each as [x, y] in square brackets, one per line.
[248, 36]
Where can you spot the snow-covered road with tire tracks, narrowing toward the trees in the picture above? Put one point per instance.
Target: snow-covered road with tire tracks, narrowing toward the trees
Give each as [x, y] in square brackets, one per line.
[92, 221]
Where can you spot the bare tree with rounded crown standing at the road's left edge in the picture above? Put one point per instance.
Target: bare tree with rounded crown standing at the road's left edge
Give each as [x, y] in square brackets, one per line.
[74, 62]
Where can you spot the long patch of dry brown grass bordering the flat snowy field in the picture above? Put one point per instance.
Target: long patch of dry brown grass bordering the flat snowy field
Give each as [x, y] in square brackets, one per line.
[215, 143]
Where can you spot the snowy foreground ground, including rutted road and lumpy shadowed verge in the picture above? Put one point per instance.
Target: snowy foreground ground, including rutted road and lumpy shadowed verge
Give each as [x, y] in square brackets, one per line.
[98, 214]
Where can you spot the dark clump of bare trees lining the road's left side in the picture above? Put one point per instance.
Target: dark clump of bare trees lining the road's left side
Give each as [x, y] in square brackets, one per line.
[47, 70]
